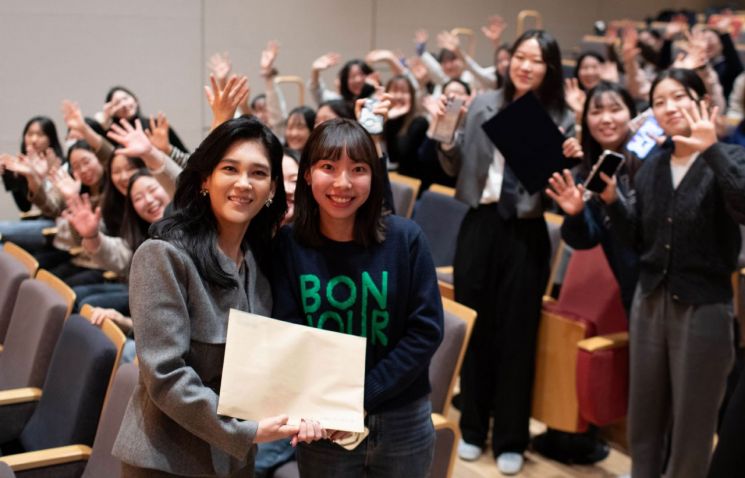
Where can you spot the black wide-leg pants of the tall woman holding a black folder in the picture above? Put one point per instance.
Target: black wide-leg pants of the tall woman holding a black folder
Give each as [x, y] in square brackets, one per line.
[500, 270]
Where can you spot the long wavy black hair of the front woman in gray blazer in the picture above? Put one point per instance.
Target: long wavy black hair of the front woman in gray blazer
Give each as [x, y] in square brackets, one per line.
[193, 225]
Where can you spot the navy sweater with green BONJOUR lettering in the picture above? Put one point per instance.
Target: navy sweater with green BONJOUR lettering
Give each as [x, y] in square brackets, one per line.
[387, 293]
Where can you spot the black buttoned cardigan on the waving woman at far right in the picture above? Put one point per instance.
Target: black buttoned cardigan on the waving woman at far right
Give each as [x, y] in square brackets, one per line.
[687, 237]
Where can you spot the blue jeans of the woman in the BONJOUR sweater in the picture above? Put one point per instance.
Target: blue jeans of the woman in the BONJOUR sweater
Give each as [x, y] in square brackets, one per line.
[400, 444]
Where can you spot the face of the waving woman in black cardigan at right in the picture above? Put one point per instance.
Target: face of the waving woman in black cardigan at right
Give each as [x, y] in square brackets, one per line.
[668, 99]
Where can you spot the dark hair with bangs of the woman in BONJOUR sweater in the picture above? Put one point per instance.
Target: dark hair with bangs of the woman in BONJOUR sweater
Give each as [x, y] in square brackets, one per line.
[330, 140]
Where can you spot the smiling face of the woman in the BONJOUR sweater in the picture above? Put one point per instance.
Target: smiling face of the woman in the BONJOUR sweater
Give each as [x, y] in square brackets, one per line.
[339, 187]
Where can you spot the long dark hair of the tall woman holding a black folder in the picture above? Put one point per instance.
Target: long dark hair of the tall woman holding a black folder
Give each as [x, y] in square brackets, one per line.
[551, 91]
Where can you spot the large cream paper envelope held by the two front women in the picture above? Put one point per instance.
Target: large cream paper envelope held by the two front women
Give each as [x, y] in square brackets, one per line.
[277, 368]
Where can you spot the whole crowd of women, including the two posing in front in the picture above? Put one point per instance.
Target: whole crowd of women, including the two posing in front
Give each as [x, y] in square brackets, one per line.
[277, 209]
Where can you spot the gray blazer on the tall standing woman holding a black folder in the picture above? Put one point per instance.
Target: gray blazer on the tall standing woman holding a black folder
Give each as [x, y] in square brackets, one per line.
[469, 160]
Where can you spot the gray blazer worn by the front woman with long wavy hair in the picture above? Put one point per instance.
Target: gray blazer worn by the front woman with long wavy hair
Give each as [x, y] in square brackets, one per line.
[180, 325]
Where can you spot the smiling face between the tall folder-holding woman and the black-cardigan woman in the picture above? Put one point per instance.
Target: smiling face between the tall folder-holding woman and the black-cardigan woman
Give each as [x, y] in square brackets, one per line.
[608, 120]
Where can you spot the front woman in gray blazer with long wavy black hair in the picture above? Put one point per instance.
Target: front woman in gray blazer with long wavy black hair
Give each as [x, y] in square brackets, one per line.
[207, 257]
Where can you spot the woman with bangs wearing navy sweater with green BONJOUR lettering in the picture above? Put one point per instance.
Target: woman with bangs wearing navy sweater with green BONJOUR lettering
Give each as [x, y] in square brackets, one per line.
[344, 266]
